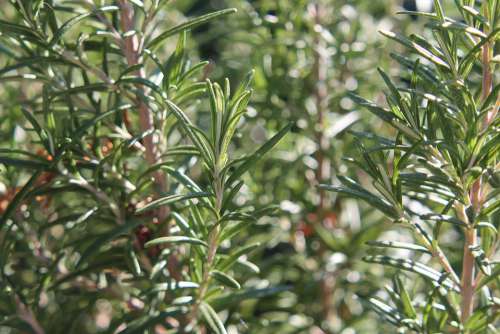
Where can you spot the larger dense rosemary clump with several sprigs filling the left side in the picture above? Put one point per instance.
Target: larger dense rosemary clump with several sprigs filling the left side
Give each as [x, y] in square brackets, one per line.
[101, 165]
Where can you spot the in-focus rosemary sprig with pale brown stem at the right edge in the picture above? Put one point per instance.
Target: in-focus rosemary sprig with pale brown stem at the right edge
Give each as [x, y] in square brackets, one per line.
[438, 175]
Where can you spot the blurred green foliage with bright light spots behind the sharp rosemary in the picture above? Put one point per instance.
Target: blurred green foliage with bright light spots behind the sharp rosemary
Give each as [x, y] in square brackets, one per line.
[307, 55]
